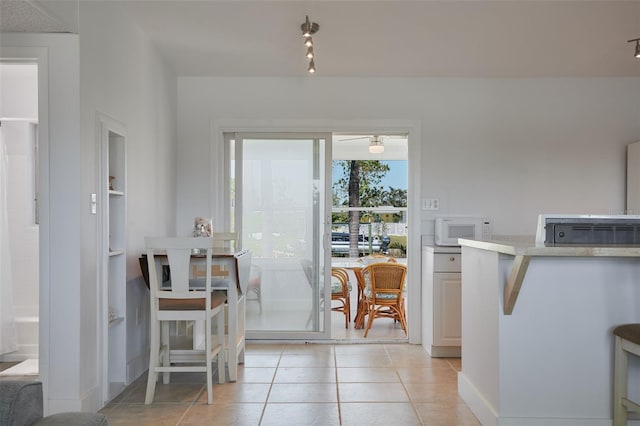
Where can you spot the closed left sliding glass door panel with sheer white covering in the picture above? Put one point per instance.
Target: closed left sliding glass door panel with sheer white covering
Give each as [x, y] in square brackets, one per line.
[279, 199]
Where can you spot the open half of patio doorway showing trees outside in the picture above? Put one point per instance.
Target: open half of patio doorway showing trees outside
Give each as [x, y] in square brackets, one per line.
[374, 208]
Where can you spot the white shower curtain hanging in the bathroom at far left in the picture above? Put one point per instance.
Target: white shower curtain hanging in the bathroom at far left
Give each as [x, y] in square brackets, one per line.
[8, 340]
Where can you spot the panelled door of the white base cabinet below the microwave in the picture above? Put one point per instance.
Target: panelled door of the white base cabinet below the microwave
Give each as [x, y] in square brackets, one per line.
[447, 309]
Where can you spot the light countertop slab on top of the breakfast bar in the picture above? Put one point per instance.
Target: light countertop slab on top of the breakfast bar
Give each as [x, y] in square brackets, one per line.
[526, 246]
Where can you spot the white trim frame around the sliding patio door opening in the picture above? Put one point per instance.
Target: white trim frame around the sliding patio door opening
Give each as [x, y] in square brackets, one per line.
[410, 127]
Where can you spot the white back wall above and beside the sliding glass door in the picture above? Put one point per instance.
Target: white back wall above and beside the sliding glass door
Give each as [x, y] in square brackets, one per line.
[505, 148]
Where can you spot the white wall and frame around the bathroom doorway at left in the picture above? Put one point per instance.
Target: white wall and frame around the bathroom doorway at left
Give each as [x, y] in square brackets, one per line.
[57, 56]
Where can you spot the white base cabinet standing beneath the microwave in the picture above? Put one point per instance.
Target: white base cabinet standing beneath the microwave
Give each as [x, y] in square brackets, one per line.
[441, 301]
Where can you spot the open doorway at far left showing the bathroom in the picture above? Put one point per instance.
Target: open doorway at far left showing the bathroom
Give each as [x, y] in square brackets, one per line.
[19, 221]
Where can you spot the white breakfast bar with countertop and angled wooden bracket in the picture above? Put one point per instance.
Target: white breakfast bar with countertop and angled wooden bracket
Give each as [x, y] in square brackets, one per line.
[537, 346]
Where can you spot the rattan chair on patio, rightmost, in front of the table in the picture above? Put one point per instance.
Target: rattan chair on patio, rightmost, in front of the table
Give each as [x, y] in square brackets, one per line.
[383, 292]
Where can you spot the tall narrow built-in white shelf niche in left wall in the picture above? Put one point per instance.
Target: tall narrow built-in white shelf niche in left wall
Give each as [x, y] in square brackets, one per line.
[112, 264]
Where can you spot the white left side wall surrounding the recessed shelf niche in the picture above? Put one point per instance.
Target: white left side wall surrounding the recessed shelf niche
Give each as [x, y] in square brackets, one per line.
[123, 77]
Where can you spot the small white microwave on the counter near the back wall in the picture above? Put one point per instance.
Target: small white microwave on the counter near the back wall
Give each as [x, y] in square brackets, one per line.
[450, 228]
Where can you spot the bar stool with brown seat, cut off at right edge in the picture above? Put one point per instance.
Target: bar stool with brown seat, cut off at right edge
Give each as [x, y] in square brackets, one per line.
[627, 340]
